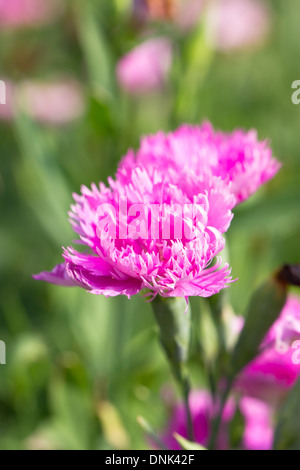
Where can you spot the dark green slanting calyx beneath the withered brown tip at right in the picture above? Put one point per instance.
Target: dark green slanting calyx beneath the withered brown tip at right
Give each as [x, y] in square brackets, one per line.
[265, 307]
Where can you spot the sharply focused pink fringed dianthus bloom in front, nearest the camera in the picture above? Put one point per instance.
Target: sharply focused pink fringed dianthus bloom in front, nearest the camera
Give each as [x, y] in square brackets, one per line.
[139, 235]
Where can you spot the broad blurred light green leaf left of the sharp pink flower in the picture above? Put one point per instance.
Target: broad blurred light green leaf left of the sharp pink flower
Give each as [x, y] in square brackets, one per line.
[40, 179]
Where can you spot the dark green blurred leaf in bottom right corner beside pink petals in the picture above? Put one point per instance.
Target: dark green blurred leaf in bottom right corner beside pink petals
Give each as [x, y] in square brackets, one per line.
[287, 433]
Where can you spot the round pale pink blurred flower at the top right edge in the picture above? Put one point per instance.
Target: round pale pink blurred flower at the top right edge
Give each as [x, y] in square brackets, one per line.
[234, 24]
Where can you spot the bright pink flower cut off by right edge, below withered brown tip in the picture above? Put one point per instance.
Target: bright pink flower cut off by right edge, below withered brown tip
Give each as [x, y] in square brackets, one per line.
[274, 371]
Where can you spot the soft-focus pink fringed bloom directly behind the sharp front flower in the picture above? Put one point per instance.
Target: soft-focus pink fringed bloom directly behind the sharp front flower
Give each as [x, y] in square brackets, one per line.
[239, 158]
